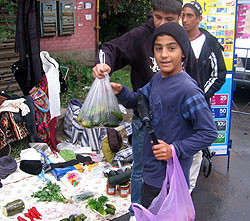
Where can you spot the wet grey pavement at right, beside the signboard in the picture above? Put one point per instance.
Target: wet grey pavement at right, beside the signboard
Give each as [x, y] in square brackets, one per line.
[225, 194]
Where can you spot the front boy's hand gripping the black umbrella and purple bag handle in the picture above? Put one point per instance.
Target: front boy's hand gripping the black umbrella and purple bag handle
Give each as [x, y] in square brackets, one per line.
[162, 151]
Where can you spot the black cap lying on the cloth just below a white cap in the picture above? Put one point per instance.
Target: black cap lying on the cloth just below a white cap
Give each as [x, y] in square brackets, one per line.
[33, 167]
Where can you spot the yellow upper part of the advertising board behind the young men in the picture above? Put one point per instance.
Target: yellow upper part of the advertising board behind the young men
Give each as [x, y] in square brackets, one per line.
[218, 18]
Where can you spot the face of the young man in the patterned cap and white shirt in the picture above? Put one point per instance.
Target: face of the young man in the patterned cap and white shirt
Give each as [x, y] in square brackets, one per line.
[189, 20]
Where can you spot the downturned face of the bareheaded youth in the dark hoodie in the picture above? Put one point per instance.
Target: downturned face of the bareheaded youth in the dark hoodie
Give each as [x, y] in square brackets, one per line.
[161, 18]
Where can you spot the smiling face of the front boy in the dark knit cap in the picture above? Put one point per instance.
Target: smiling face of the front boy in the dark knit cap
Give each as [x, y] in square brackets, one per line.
[168, 55]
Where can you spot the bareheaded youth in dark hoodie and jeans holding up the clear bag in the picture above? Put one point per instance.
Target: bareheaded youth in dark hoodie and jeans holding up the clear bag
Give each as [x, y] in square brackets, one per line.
[134, 49]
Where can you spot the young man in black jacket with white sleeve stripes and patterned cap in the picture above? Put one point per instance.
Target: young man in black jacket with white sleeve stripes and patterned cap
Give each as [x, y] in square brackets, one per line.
[211, 64]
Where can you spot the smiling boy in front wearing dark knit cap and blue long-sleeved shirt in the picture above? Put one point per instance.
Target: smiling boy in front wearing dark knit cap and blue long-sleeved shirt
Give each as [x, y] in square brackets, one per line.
[181, 117]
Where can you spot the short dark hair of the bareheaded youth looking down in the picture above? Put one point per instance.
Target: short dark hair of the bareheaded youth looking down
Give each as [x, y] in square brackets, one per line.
[167, 6]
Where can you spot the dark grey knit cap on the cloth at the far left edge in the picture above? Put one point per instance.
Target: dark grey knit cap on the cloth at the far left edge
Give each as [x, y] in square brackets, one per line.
[7, 166]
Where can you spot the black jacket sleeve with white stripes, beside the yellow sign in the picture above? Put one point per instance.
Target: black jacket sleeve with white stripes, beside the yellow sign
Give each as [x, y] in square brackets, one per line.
[218, 73]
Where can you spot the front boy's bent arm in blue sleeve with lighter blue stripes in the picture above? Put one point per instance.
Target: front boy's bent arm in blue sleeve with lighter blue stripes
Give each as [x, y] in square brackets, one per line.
[195, 109]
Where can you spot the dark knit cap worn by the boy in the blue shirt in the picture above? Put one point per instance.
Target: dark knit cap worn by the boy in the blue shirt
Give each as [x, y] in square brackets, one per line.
[177, 32]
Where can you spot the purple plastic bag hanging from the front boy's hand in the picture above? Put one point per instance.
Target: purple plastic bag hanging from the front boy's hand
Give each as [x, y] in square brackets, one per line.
[174, 202]
